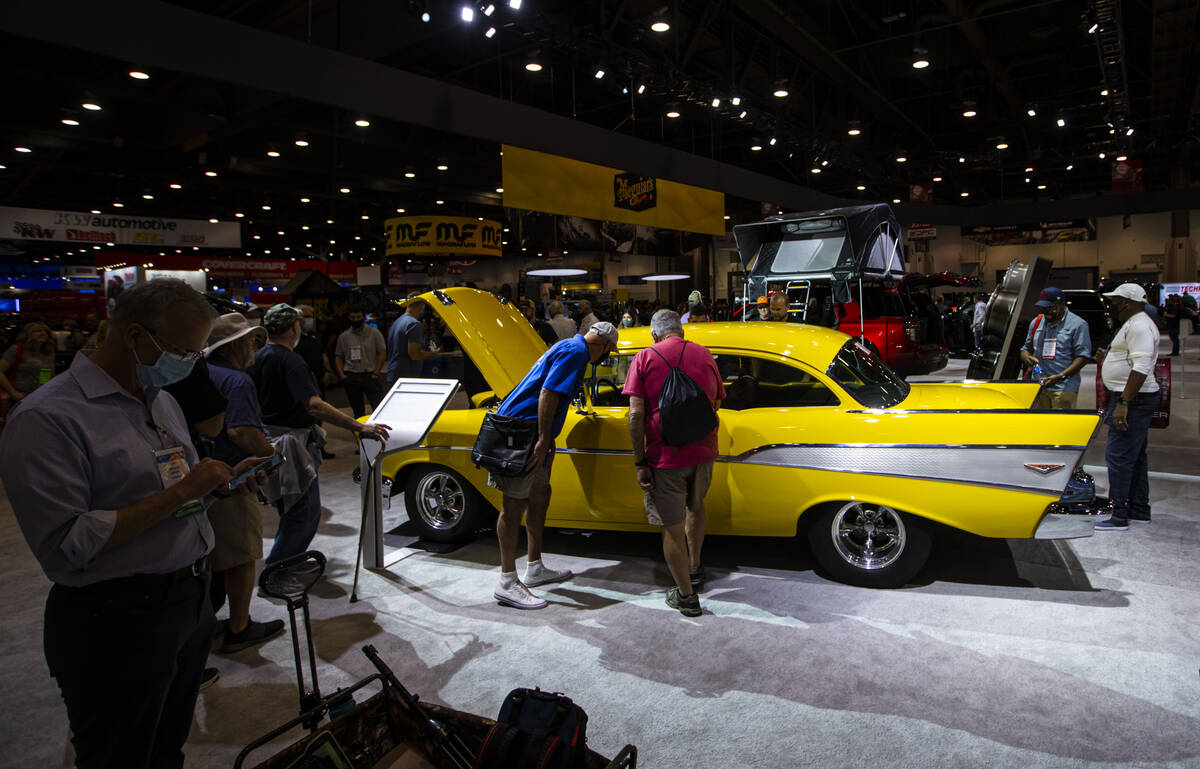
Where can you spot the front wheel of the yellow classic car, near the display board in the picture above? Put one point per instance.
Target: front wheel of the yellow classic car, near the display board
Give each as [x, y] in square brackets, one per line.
[442, 506]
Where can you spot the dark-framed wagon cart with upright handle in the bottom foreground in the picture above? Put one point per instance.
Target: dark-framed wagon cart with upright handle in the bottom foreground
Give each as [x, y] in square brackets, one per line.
[391, 729]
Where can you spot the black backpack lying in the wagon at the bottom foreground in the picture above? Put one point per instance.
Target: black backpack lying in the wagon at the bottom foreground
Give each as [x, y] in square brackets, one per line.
[536, 730]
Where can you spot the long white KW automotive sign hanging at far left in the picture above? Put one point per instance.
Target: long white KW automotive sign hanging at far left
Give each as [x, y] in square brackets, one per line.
[124, 230]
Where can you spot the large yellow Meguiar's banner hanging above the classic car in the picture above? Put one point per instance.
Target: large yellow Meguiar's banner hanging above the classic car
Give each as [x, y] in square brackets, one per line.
[537, 182]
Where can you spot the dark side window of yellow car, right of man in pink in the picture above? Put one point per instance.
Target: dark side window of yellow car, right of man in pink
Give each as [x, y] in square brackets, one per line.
[755, 383]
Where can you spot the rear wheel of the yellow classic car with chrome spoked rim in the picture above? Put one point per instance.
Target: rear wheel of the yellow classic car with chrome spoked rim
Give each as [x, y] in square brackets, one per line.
[868, 545]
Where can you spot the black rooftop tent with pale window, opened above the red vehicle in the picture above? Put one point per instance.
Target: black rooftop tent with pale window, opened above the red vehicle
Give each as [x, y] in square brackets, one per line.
[836, 244]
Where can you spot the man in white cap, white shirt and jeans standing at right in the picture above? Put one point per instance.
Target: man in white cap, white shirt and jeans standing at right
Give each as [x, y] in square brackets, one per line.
[1129, 375]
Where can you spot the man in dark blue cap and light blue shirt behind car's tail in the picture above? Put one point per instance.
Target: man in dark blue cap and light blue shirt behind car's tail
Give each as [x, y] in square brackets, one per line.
[1059, 343]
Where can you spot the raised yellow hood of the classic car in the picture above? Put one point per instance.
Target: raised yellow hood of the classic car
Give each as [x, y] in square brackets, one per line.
[495, 335]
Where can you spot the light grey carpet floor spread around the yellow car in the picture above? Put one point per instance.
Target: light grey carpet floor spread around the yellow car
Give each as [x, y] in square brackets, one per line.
[1003, 653]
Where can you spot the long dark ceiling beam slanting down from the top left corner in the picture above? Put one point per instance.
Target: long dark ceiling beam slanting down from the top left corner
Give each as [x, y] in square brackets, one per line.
[172, 38]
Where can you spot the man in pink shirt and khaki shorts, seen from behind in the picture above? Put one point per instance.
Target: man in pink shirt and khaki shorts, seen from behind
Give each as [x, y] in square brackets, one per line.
[674, 478]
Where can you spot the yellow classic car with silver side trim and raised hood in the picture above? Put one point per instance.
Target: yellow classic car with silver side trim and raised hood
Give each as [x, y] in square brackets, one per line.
[817, 435]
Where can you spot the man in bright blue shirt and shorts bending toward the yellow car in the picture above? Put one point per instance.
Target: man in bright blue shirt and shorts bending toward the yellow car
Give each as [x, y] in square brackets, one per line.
[544, 395]
